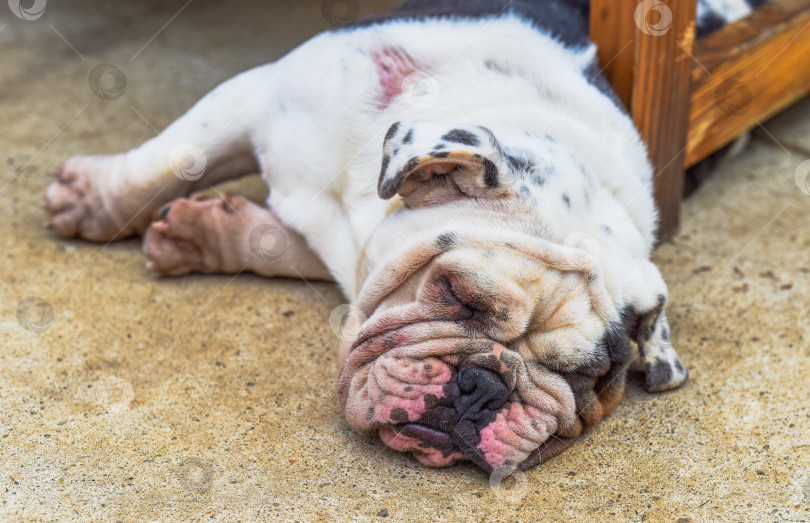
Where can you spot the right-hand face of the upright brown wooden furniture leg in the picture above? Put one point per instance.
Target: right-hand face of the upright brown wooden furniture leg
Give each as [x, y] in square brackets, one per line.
[660, 103]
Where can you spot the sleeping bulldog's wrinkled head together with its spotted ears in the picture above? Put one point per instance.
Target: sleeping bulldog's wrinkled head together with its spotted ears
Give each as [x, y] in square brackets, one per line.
[483, 340]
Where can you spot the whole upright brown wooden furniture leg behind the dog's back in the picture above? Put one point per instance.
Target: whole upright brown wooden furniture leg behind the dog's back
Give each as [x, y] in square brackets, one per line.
[645, 48]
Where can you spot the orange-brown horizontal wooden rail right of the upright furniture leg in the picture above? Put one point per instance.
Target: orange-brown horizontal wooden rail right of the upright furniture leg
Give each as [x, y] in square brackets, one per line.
[753, 69]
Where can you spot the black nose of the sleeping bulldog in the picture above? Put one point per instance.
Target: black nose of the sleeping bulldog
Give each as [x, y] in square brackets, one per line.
[481, 392]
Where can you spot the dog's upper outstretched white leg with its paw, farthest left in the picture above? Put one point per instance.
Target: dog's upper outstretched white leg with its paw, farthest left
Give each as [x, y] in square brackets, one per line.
[107, 197]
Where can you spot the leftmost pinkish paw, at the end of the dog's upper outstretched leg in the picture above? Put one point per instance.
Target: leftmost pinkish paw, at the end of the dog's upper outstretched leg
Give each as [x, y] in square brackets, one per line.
[74, 203]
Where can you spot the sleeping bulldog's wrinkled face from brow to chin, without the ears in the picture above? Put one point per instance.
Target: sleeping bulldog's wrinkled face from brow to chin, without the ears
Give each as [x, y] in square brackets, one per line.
[486, 354]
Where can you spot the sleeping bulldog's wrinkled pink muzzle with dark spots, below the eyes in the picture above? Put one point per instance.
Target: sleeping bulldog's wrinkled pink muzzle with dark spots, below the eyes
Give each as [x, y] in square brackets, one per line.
[401, 379]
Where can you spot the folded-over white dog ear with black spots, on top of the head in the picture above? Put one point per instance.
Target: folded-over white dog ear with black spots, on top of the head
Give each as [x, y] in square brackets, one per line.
[428, 163]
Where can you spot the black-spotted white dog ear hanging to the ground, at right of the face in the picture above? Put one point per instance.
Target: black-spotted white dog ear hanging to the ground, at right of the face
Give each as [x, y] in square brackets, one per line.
[646, 324]
